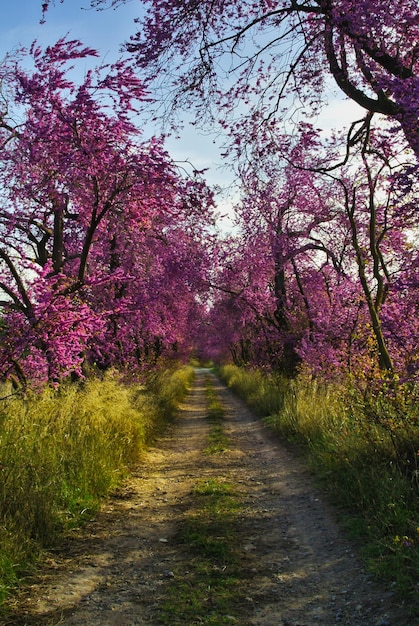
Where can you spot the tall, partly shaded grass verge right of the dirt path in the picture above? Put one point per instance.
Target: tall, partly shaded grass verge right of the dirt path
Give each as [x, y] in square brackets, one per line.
[364, 448]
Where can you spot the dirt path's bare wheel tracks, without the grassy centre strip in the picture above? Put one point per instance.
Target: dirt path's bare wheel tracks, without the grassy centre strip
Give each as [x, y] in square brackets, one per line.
[119, 569]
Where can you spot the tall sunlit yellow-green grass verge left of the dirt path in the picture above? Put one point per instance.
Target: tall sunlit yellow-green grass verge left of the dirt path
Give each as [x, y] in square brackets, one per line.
[62, 451]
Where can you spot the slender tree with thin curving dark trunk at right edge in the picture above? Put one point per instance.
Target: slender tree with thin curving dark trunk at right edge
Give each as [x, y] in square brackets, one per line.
[375, 194]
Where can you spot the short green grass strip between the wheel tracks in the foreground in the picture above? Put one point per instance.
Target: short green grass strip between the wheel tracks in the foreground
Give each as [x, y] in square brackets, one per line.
[208, 592]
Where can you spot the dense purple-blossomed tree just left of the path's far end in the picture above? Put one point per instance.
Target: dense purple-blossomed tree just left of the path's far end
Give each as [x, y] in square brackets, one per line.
[155, 302]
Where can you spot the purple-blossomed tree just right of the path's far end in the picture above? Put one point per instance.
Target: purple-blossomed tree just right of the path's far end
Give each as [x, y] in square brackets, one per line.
[286, 260]
